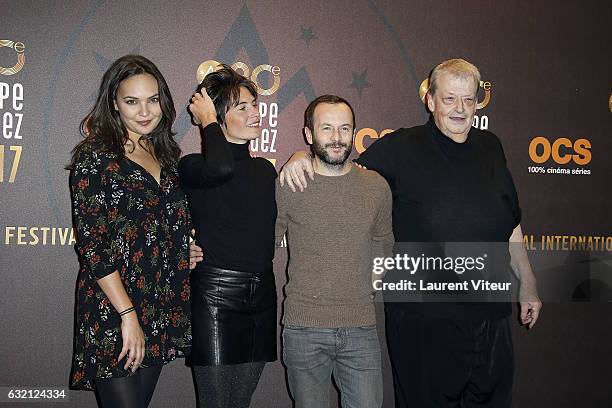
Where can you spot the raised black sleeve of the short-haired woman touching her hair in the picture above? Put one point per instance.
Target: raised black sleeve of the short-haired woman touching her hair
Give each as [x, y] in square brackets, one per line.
[211, 168]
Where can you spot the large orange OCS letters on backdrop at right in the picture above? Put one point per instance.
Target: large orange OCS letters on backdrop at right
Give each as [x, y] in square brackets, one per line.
[561, 150]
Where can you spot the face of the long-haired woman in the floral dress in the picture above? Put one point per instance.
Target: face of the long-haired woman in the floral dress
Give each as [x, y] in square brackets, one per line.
[137, 102]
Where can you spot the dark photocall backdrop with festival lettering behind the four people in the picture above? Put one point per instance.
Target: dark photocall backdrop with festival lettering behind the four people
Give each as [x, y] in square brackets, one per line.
[545, 91]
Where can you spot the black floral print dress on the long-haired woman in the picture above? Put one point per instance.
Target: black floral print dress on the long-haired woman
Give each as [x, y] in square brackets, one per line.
[127, 222]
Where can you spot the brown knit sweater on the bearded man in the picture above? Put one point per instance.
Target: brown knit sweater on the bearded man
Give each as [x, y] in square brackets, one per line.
[334, 229]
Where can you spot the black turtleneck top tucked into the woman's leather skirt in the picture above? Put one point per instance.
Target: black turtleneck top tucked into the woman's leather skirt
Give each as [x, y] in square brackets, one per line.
[231, 197]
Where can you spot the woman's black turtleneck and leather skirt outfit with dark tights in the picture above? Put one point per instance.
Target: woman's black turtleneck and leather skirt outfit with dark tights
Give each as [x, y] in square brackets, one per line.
[233, 208]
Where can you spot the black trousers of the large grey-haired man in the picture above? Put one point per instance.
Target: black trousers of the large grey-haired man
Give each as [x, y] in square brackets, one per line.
[449, 362]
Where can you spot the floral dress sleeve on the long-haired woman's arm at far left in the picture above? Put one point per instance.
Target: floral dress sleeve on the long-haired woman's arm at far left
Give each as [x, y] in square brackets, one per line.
[95, 244]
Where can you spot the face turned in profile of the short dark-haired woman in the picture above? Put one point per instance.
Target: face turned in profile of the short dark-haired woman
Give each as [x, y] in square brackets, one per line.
[242, 120]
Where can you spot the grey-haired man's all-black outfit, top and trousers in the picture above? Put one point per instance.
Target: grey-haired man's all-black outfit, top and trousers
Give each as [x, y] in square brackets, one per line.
[445, 191]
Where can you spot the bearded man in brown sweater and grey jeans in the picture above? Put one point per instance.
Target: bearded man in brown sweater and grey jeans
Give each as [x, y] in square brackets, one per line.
[334, 230]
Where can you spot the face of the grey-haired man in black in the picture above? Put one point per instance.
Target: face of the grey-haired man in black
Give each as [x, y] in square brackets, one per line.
[453, 105]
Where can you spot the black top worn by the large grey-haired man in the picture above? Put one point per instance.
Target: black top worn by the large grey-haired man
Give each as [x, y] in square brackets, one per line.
[444, 191]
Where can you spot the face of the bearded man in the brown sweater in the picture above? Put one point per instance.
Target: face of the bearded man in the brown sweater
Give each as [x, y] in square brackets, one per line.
[332, 134]
